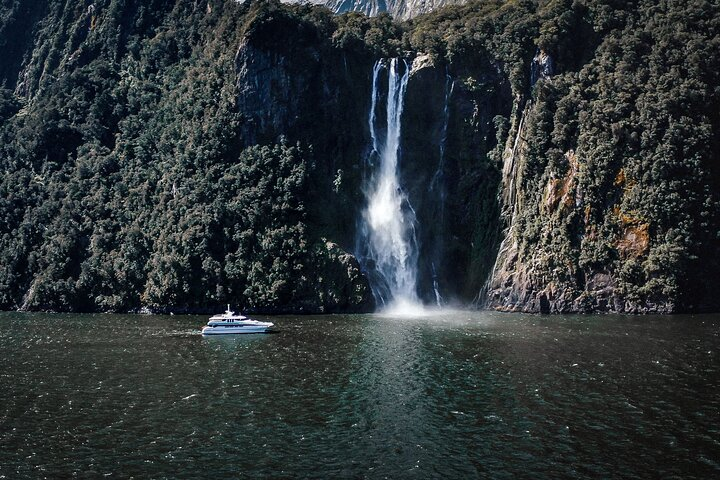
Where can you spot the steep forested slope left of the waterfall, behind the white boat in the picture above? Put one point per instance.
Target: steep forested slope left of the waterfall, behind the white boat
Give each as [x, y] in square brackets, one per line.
[131, 179]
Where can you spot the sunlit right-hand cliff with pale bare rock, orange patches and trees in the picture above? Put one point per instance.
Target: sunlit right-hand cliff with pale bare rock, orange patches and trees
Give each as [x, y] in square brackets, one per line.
[594, 219]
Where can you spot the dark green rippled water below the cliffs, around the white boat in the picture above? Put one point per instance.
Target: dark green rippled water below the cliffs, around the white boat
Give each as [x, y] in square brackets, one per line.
[454, 395]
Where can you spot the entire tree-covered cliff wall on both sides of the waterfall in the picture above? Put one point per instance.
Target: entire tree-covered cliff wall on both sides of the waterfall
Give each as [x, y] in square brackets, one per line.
[179, 155]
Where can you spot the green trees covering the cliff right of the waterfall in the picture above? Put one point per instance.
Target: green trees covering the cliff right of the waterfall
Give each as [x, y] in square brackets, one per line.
[641, 116]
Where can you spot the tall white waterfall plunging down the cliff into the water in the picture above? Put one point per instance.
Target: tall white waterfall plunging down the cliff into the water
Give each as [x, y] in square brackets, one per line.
[387, 246]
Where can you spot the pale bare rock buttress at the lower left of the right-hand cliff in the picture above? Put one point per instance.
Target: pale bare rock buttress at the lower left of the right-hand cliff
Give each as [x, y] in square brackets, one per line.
[522, 282]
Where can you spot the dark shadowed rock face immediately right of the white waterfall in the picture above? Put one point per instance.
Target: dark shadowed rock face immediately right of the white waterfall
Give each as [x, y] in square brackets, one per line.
[448, 139]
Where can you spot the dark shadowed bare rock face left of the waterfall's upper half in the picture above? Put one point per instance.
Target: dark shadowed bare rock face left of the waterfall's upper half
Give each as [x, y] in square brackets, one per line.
[295, 86]
